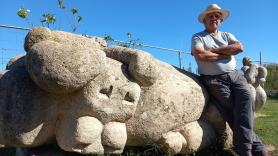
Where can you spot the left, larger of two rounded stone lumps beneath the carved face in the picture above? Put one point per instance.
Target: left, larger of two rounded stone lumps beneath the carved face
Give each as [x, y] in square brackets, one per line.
[82, 135]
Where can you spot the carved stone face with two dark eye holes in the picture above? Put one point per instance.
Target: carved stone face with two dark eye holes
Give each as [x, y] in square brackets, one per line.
[112, 95]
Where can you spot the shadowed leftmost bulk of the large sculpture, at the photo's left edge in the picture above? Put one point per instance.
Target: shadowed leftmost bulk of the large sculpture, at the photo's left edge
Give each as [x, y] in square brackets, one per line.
[27, 112]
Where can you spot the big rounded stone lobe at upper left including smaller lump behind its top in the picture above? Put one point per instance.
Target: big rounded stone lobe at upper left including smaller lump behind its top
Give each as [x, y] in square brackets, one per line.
[61, 62]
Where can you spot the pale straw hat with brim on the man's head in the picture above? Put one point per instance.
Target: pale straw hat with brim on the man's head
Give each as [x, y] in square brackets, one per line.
[213, 8]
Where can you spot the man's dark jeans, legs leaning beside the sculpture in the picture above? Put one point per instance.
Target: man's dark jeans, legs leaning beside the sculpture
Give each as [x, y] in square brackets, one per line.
[232, 96]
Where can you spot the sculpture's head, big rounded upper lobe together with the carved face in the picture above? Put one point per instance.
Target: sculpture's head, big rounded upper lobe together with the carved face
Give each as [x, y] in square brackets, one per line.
[68, 64]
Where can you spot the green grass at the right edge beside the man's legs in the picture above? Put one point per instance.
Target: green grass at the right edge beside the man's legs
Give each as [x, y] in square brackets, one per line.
[266, 126]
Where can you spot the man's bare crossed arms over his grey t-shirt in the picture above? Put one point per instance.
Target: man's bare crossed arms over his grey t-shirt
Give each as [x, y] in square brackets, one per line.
[215, 54]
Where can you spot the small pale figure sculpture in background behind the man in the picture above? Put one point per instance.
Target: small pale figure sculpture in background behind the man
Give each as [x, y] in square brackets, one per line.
[256, 77]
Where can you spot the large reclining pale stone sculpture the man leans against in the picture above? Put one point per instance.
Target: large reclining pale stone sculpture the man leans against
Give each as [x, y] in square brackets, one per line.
[95, 99]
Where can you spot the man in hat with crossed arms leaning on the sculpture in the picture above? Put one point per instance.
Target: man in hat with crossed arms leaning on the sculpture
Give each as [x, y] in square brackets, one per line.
[214, 52]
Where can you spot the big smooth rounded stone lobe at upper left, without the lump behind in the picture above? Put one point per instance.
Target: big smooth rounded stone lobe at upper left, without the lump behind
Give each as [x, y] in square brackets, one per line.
[63, 69]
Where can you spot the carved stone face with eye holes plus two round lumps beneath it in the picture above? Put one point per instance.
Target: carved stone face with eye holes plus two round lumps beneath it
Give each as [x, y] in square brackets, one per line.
[98, 112]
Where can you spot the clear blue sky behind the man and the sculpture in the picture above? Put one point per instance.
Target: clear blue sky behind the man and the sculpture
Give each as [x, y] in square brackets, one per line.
[165, 23]
